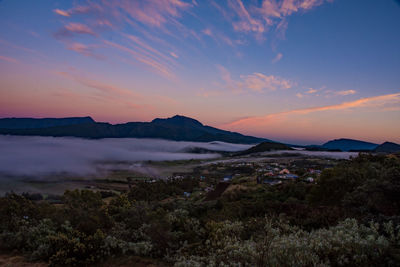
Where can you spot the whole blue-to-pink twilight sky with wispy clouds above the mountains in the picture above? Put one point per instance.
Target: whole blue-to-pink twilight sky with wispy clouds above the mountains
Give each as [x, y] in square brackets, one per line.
[298, 71]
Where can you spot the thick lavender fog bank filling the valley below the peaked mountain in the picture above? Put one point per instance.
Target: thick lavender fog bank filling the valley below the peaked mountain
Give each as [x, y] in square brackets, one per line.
[21, 155]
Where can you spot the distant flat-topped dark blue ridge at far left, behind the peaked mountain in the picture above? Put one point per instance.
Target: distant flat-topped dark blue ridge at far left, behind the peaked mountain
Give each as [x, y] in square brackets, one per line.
[30, 123]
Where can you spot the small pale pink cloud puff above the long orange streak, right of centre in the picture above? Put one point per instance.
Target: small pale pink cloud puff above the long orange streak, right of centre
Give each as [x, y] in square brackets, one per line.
[256, 82]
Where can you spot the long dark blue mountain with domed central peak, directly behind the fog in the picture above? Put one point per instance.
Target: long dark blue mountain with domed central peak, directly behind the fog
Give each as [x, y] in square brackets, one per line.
[178, 128]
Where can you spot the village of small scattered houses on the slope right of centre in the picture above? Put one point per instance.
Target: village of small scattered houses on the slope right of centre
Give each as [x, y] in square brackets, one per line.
[216, 177]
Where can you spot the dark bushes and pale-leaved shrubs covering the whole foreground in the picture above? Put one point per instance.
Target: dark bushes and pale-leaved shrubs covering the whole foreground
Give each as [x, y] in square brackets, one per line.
[349, 217]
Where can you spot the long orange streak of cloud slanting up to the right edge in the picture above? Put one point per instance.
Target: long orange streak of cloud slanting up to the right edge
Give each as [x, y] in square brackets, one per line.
[381, 102]
